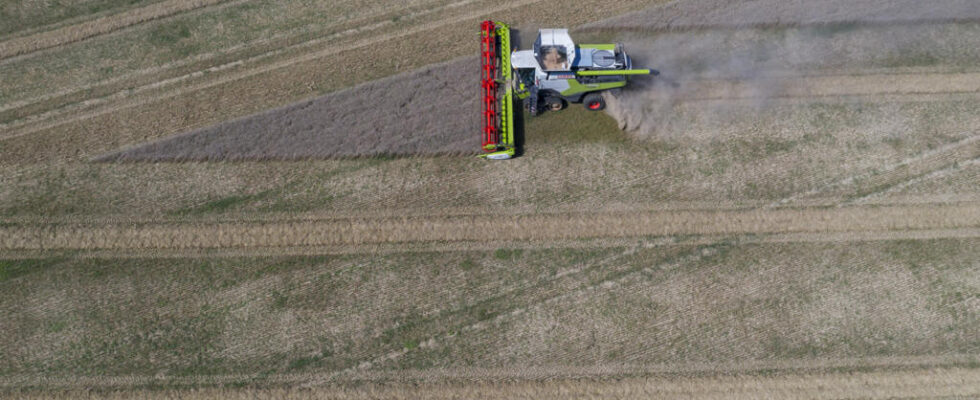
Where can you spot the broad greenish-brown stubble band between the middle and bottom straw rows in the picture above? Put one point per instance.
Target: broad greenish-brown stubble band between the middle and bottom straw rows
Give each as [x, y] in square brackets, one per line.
[502, 315]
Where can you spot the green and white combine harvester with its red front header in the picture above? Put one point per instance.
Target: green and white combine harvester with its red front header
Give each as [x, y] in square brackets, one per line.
[556, 72]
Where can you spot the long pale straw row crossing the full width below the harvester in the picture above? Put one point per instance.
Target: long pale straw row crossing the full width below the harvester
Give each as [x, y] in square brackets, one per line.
[484, 228]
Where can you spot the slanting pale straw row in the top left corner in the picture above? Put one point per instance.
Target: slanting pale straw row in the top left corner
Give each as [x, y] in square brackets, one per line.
[100, 26]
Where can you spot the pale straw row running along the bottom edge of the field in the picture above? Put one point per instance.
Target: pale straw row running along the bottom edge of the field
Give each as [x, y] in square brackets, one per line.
[871, 385]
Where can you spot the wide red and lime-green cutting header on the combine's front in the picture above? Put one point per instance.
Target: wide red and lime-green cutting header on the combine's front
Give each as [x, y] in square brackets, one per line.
[496, 82]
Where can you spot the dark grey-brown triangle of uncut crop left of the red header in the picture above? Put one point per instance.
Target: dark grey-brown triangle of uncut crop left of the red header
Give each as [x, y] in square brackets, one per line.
[432, 111]
